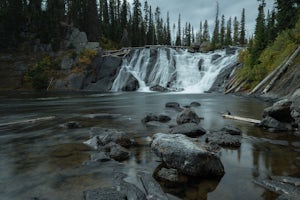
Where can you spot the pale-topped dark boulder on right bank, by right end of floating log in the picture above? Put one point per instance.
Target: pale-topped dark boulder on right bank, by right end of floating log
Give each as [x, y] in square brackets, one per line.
[280, 111]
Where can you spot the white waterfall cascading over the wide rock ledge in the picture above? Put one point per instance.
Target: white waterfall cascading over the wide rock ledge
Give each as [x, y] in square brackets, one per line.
[177, 70]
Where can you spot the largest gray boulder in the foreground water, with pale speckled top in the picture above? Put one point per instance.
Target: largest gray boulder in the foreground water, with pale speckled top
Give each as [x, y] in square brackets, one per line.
[179, 152]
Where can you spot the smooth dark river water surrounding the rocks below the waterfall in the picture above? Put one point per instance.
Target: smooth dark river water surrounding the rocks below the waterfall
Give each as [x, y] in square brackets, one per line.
[46, 161]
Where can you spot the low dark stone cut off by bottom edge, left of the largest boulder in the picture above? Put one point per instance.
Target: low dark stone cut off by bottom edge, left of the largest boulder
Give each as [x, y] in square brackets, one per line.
[104, 194]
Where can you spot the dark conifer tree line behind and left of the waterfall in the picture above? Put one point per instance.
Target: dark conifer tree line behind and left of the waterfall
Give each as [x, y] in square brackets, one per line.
[117, 21]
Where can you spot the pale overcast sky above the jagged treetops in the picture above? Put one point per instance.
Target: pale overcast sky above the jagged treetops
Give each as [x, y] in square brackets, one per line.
[194, 11]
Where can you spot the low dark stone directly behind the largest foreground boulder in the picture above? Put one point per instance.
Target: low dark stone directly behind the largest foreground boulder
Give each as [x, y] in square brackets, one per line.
[188, 129]
